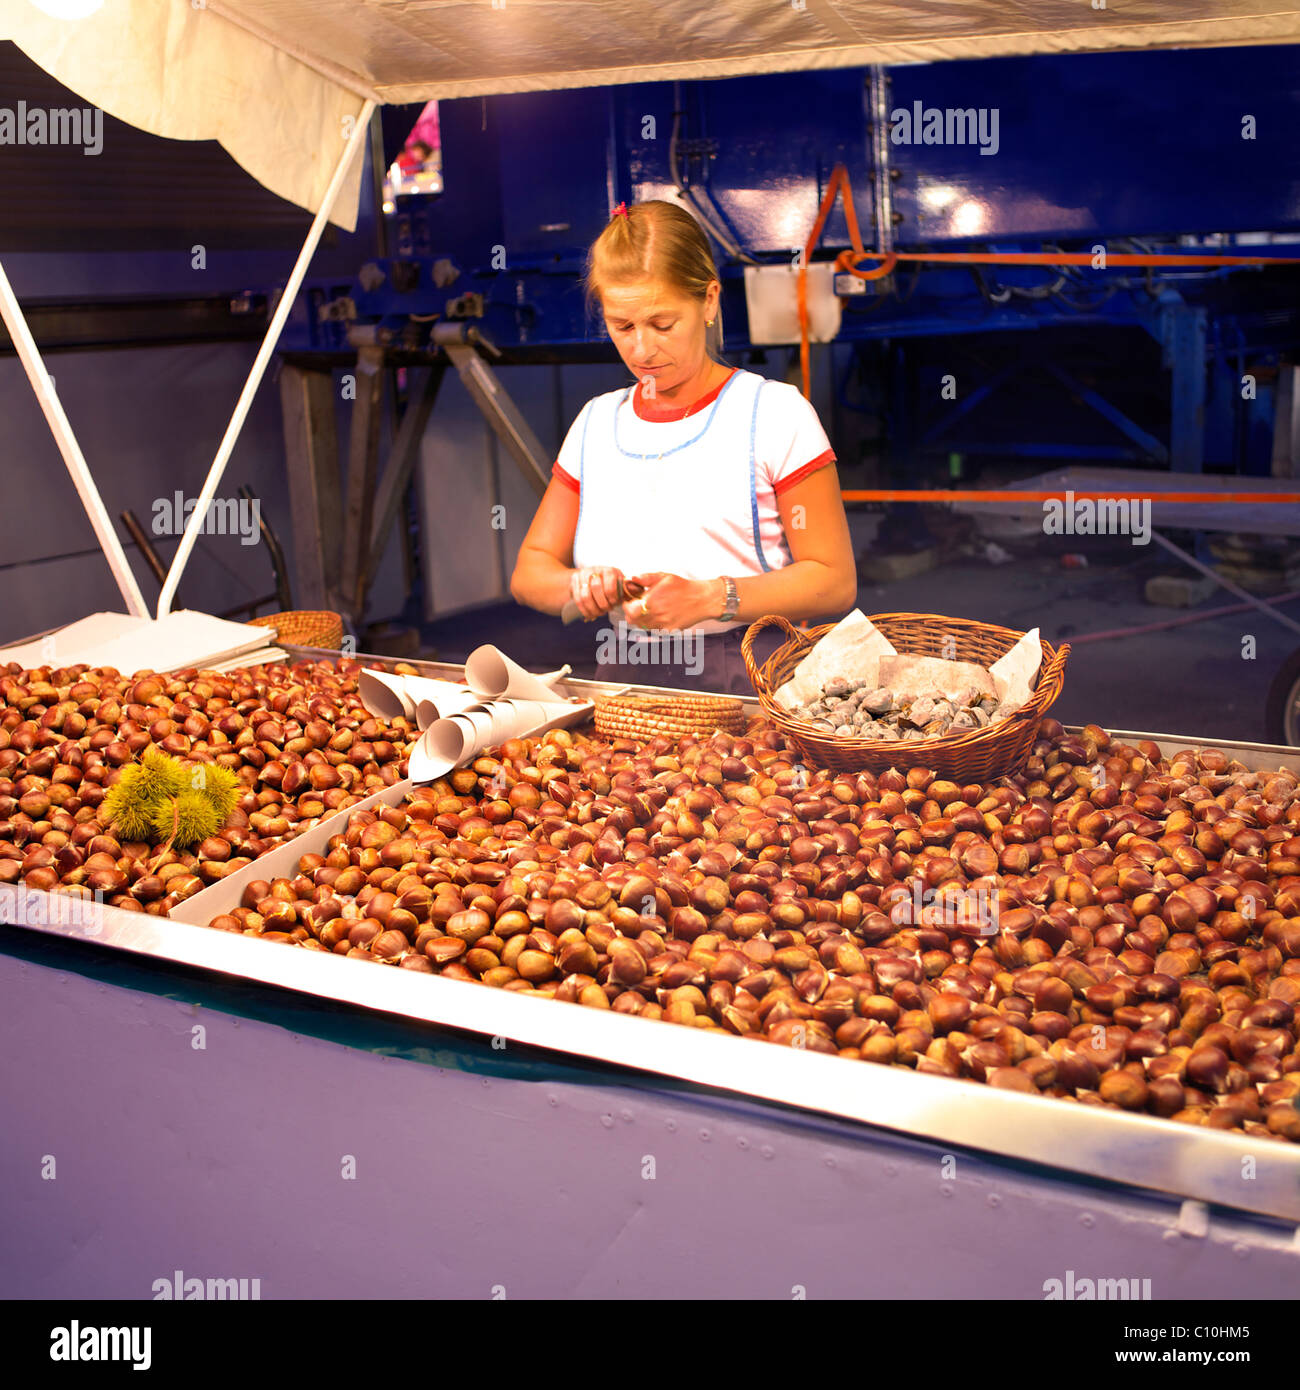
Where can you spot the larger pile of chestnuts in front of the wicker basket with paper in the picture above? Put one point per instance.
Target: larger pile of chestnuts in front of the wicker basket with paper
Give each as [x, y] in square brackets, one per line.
[1144, 954]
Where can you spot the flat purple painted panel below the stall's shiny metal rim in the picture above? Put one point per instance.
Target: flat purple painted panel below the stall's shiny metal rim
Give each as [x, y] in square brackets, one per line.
[233, 1161]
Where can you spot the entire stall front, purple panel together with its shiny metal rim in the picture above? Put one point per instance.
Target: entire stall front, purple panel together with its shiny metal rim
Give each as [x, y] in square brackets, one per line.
[188, 1107]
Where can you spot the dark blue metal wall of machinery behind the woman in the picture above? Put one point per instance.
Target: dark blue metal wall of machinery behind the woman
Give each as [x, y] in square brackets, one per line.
[1134, 151]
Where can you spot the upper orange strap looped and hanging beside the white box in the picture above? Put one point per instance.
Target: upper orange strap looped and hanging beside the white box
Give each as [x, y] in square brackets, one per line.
[849, 262]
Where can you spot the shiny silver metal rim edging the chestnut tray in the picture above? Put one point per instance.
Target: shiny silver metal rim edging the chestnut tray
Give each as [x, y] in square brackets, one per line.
[1137, 1150]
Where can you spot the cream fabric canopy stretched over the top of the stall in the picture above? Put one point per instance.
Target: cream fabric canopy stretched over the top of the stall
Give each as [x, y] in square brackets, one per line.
[277, 81]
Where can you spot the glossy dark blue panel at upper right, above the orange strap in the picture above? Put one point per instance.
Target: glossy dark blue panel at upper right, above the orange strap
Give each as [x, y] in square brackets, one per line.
[1119, 144]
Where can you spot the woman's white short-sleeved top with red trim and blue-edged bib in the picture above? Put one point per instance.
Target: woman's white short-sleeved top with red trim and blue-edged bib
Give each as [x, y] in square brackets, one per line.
[694, 497]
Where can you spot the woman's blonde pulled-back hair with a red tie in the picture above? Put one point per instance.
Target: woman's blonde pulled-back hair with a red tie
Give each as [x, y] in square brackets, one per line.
[657, 241]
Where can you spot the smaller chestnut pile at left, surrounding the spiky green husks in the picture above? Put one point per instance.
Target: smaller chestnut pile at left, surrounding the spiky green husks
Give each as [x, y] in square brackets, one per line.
[298, 737]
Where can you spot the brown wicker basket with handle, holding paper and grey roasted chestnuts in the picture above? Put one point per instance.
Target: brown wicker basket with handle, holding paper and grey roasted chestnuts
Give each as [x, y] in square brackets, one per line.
[975, 757]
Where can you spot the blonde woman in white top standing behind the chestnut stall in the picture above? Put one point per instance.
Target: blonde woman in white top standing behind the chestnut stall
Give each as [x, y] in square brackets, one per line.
[694, 501]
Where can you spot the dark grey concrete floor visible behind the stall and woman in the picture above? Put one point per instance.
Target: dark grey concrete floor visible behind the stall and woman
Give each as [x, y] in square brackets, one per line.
[1189, 680]
